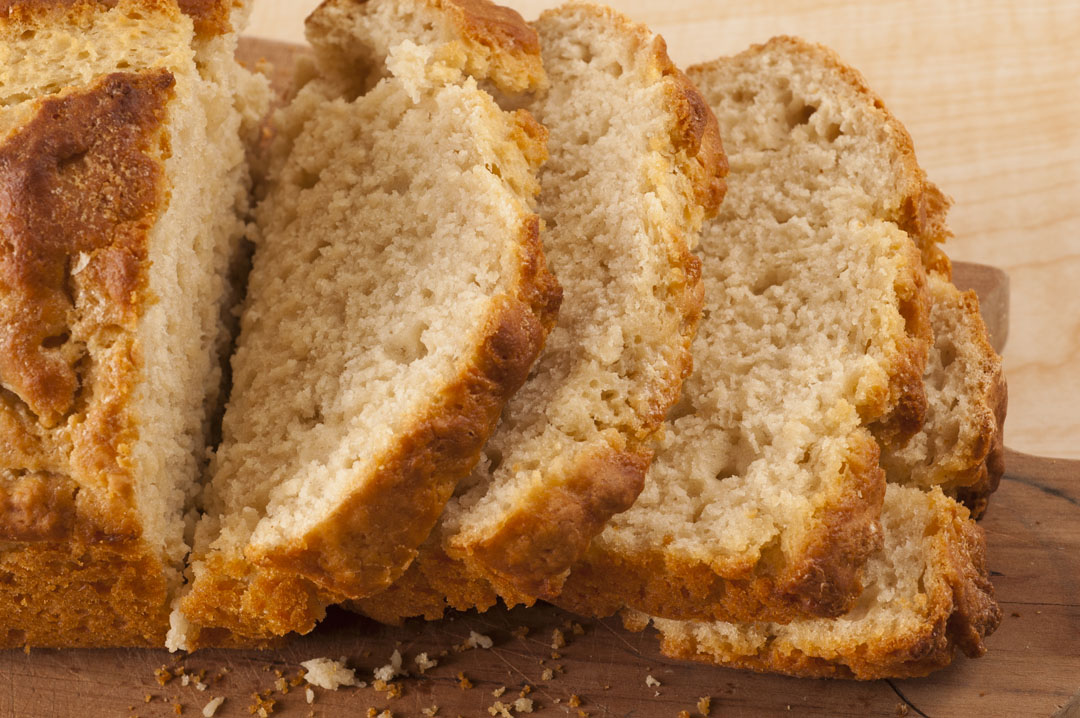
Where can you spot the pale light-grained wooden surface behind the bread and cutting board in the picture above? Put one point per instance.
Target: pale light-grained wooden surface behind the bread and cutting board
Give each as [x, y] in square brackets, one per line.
[991, 92]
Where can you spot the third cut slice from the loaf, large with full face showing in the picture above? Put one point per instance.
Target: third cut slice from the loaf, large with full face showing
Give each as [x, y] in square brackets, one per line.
[763, 500]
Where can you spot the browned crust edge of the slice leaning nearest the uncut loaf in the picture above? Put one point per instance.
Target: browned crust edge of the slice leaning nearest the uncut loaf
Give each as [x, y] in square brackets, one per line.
[362, 548]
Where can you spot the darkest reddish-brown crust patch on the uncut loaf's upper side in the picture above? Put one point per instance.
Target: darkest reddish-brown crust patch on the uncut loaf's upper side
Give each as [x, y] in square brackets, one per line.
[56, 173]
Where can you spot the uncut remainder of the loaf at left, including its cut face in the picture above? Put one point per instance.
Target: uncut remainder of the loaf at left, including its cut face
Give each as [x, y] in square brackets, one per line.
[125, 187]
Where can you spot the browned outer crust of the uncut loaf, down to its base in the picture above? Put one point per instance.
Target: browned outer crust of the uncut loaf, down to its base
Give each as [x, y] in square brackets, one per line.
[82, 183]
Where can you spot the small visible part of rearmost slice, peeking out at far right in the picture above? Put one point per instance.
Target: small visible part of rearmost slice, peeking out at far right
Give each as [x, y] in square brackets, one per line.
[962, 444]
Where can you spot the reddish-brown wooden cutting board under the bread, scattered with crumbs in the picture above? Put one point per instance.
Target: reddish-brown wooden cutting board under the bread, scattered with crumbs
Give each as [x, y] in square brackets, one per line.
[1033, 668]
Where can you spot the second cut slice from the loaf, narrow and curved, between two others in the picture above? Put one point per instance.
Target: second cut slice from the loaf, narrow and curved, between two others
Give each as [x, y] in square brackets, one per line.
[636, 166]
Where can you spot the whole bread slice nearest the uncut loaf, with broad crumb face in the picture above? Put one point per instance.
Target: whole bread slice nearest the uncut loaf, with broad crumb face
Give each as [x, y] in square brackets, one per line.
[399, 296]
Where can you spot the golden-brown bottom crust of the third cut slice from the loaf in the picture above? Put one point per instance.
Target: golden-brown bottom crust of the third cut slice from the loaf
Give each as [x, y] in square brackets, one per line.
[825, 584]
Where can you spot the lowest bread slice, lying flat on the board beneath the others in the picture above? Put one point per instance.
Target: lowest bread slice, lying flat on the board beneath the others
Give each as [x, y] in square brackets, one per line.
[926, 595]
